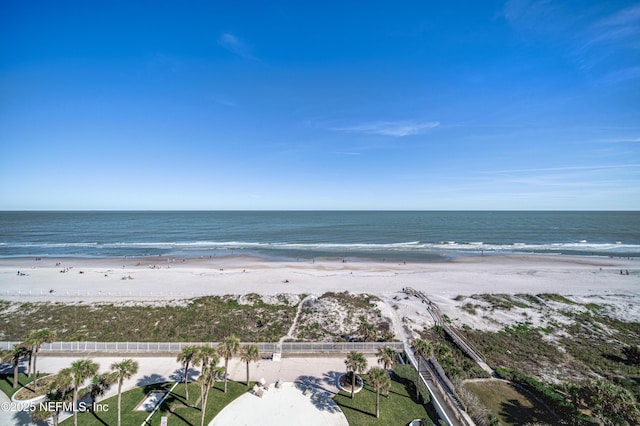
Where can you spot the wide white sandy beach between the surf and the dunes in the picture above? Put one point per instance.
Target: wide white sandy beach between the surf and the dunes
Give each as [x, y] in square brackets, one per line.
[148, 279]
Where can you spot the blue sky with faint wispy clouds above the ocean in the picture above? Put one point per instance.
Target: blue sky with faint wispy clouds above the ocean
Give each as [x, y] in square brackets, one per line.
[517, 104]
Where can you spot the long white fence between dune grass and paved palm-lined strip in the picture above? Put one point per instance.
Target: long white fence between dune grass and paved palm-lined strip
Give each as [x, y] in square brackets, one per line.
[176, 347]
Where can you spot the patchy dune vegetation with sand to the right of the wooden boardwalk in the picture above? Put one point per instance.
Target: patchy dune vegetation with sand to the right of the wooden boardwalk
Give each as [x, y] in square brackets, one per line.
[585, 341]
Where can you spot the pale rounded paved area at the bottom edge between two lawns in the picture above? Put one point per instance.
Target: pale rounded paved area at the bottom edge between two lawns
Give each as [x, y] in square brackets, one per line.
[287, 405]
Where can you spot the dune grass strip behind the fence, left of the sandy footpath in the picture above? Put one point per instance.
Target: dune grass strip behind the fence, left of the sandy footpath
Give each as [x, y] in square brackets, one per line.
[205, 319]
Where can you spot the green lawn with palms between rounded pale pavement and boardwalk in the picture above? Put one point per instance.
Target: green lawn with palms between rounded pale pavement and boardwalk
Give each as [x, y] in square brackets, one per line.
[399, 409]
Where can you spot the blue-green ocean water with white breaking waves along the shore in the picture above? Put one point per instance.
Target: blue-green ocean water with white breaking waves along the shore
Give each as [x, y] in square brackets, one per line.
[321, 234]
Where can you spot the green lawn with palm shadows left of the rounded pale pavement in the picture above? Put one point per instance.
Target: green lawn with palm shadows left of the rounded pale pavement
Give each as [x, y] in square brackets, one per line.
[175, 407]
